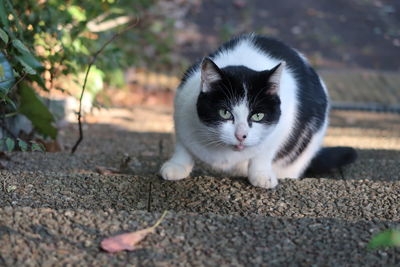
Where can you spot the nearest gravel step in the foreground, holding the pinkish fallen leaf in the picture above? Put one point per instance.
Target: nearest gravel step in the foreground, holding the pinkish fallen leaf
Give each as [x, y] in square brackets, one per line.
[49, 237]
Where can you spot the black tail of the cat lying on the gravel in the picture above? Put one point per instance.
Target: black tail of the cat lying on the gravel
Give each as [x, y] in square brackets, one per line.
[329, 158]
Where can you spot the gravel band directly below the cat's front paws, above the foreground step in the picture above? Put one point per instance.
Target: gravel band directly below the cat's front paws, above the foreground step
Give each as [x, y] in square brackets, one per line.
[317, 198]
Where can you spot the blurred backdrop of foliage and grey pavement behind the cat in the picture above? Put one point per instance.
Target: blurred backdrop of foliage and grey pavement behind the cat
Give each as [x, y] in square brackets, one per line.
[47, 45]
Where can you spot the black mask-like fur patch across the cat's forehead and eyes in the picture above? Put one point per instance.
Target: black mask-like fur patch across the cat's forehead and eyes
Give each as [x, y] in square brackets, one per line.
[230, 90]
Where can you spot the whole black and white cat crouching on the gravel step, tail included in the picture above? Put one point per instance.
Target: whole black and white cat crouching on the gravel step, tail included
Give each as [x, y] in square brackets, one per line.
[253, 108]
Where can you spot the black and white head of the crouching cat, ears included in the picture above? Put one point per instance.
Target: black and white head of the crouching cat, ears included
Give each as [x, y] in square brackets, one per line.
[238, 105]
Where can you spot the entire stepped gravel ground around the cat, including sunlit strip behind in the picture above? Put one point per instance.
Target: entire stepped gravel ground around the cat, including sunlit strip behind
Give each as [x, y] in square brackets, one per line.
[55, 207]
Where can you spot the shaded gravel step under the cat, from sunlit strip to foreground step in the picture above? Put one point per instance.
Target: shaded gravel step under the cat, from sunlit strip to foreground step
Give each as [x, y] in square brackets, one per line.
[62, 180]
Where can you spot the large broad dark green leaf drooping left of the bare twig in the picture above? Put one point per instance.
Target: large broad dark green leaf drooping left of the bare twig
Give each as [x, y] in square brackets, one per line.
[36, 111]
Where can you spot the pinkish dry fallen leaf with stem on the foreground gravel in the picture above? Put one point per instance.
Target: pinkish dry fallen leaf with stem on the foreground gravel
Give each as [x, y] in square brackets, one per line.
[128, 241]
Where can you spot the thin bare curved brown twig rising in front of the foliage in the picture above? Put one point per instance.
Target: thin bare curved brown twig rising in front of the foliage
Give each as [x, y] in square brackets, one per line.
[86, 76]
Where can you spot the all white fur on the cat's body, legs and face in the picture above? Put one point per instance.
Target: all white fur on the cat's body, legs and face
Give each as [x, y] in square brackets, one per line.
[195, 140]
